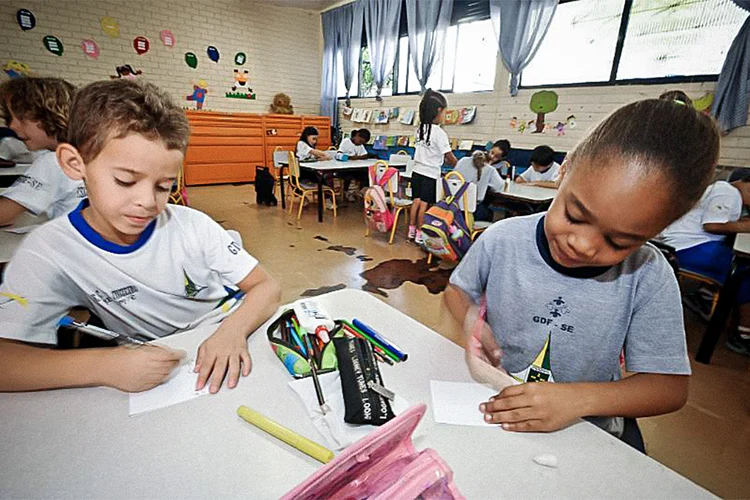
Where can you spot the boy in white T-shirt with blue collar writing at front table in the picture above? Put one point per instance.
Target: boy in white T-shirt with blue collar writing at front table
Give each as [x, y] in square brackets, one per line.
[143, 267]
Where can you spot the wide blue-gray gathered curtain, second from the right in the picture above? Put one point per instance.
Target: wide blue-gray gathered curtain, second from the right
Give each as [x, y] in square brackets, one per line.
[521, 26]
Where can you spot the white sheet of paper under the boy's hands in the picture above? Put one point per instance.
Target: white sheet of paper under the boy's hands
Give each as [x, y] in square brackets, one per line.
[179, 388]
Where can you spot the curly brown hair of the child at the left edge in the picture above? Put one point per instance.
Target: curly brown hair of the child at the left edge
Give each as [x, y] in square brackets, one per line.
[44, 100]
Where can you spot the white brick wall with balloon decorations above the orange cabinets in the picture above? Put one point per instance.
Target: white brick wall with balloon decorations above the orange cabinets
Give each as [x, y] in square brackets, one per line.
[283, 46]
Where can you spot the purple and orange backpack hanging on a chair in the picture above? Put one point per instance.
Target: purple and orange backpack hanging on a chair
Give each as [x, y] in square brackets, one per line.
[446, 232]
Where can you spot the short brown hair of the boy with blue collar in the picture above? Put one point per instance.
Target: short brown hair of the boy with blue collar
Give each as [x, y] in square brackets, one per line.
[115, 108]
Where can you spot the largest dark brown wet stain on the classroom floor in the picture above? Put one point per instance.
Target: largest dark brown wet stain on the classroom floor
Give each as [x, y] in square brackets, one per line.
[391, 274]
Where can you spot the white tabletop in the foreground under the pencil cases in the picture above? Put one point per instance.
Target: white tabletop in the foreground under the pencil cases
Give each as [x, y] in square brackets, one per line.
[77, 443]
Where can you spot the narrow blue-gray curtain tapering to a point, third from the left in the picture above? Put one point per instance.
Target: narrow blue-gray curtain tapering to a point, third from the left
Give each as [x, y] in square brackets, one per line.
[381, 20]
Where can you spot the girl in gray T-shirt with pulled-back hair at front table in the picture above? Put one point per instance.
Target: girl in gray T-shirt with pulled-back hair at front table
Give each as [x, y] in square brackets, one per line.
[568, 290]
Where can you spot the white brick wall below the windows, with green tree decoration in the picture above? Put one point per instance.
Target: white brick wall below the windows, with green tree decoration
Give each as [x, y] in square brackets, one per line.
[589, 104]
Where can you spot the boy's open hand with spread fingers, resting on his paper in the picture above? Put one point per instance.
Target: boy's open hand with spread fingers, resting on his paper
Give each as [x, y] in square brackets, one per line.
[223, 353]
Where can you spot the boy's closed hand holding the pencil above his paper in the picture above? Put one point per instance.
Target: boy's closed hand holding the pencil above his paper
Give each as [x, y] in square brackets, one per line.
[137, 369]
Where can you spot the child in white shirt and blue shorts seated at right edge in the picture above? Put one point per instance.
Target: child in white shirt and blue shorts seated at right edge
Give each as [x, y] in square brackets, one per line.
[700, 240]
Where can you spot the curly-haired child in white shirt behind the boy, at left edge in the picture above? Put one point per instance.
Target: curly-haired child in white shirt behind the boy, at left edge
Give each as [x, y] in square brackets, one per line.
[36, 109]
